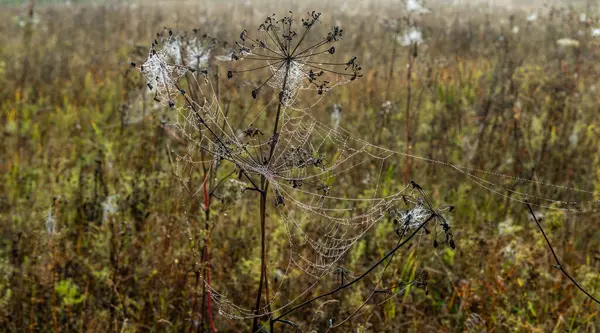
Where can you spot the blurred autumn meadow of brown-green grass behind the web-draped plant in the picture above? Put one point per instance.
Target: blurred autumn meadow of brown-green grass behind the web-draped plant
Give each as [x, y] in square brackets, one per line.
[98, 235]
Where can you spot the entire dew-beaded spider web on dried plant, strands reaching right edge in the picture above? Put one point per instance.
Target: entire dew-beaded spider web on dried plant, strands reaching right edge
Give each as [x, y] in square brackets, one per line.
[308, 170]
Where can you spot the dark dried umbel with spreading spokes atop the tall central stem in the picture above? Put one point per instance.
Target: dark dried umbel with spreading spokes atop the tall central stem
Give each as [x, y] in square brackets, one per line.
[292, 64]
